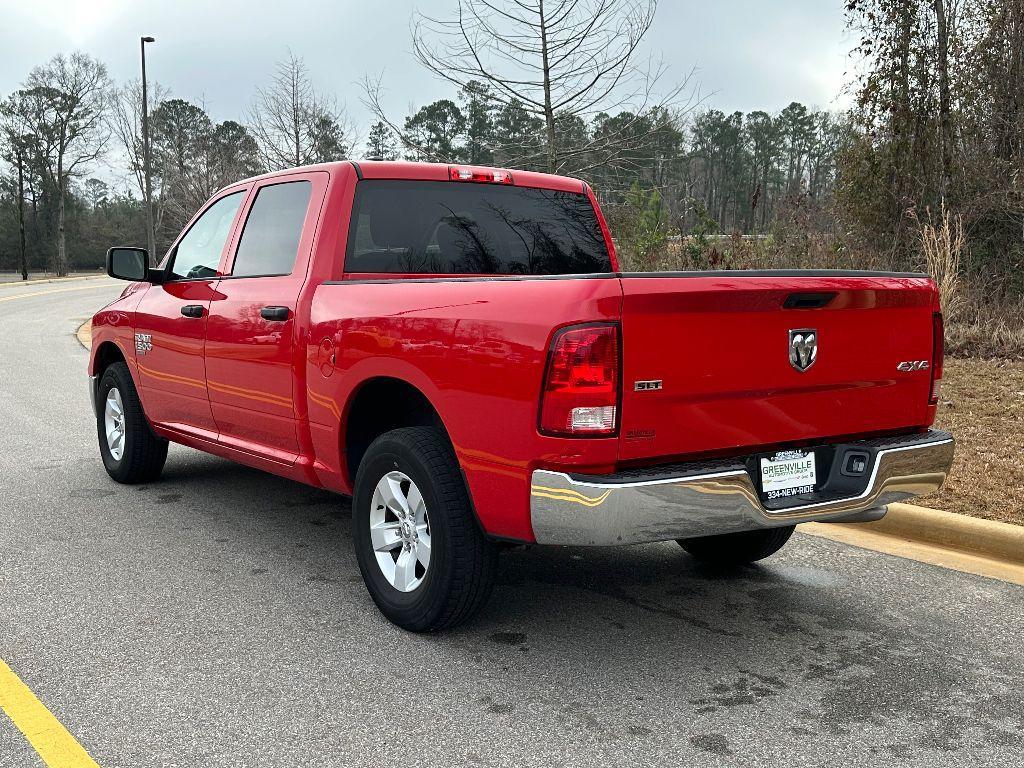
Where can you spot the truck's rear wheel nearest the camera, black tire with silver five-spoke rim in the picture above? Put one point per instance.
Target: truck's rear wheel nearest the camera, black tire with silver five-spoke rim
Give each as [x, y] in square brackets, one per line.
[460, 560]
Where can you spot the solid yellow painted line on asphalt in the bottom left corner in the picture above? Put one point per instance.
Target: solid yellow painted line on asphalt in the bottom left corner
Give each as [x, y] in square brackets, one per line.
[51, 740]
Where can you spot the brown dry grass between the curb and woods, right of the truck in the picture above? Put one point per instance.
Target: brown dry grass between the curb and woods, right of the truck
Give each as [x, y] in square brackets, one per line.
[984, 406]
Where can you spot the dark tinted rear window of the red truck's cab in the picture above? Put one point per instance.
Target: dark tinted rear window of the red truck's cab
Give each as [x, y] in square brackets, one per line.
[451, 228]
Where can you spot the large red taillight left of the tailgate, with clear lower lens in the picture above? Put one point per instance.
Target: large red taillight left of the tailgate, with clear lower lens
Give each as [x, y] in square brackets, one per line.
[581, 385]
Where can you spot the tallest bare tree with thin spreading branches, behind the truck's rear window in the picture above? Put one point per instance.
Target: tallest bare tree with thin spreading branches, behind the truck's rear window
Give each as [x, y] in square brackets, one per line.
[563, 61]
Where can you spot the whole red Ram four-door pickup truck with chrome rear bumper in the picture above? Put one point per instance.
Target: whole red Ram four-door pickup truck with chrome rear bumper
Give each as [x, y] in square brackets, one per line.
[456, 349]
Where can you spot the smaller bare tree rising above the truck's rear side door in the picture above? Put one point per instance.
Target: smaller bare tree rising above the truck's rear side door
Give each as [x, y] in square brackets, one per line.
[293, 124]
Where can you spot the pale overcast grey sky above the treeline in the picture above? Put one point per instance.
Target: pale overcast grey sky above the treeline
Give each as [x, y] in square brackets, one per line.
[750, 55]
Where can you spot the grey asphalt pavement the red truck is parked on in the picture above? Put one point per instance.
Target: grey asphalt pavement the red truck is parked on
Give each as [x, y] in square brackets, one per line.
[218, 618]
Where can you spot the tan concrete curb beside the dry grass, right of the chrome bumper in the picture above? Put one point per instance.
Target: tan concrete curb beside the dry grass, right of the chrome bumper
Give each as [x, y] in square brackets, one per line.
[972, 545]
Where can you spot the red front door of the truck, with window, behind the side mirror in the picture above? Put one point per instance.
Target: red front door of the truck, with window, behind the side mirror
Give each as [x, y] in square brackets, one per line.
[172, 320]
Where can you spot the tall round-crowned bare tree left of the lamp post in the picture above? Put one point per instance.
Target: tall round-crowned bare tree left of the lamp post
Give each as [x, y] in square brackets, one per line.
[66, 103]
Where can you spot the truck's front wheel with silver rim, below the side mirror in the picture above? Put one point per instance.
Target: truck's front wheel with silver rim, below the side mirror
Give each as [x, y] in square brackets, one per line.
[142, 453]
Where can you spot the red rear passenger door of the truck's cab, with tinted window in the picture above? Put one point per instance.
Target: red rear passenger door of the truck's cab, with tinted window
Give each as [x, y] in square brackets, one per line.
[252, 354]
